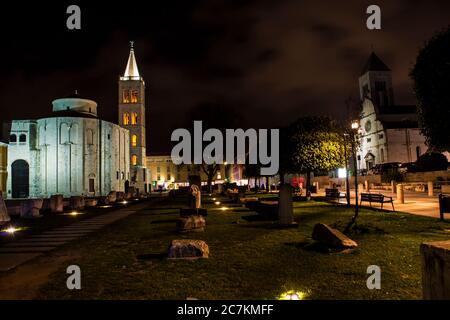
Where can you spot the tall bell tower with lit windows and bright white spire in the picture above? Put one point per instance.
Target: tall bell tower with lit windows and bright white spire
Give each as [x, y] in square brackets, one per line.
[132, 117]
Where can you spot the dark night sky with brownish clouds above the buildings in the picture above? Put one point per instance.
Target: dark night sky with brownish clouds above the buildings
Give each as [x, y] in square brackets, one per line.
[267, 62]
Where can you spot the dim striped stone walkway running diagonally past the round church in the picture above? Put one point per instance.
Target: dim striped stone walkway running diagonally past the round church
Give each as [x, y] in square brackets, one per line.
[18, 252]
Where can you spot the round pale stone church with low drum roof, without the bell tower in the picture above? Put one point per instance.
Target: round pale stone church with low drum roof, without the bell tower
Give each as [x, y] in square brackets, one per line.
[72, 152]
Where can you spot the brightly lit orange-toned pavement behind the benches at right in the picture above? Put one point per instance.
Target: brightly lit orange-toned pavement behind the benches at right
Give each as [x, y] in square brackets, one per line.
[417, 203]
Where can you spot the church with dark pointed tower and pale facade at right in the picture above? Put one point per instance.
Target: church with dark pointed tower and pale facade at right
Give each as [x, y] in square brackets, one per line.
[389, 132]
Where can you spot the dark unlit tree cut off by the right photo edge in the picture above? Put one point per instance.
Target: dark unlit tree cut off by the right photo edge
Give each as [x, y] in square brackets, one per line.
[431, 76]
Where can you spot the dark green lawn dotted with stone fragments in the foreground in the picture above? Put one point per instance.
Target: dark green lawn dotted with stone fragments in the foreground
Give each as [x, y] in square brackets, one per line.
[250, 260]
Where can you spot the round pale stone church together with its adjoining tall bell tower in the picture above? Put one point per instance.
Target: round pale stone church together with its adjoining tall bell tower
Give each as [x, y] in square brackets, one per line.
[72, 152]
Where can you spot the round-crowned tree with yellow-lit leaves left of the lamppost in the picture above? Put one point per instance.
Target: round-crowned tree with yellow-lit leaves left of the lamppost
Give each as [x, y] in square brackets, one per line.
[314, 144]
